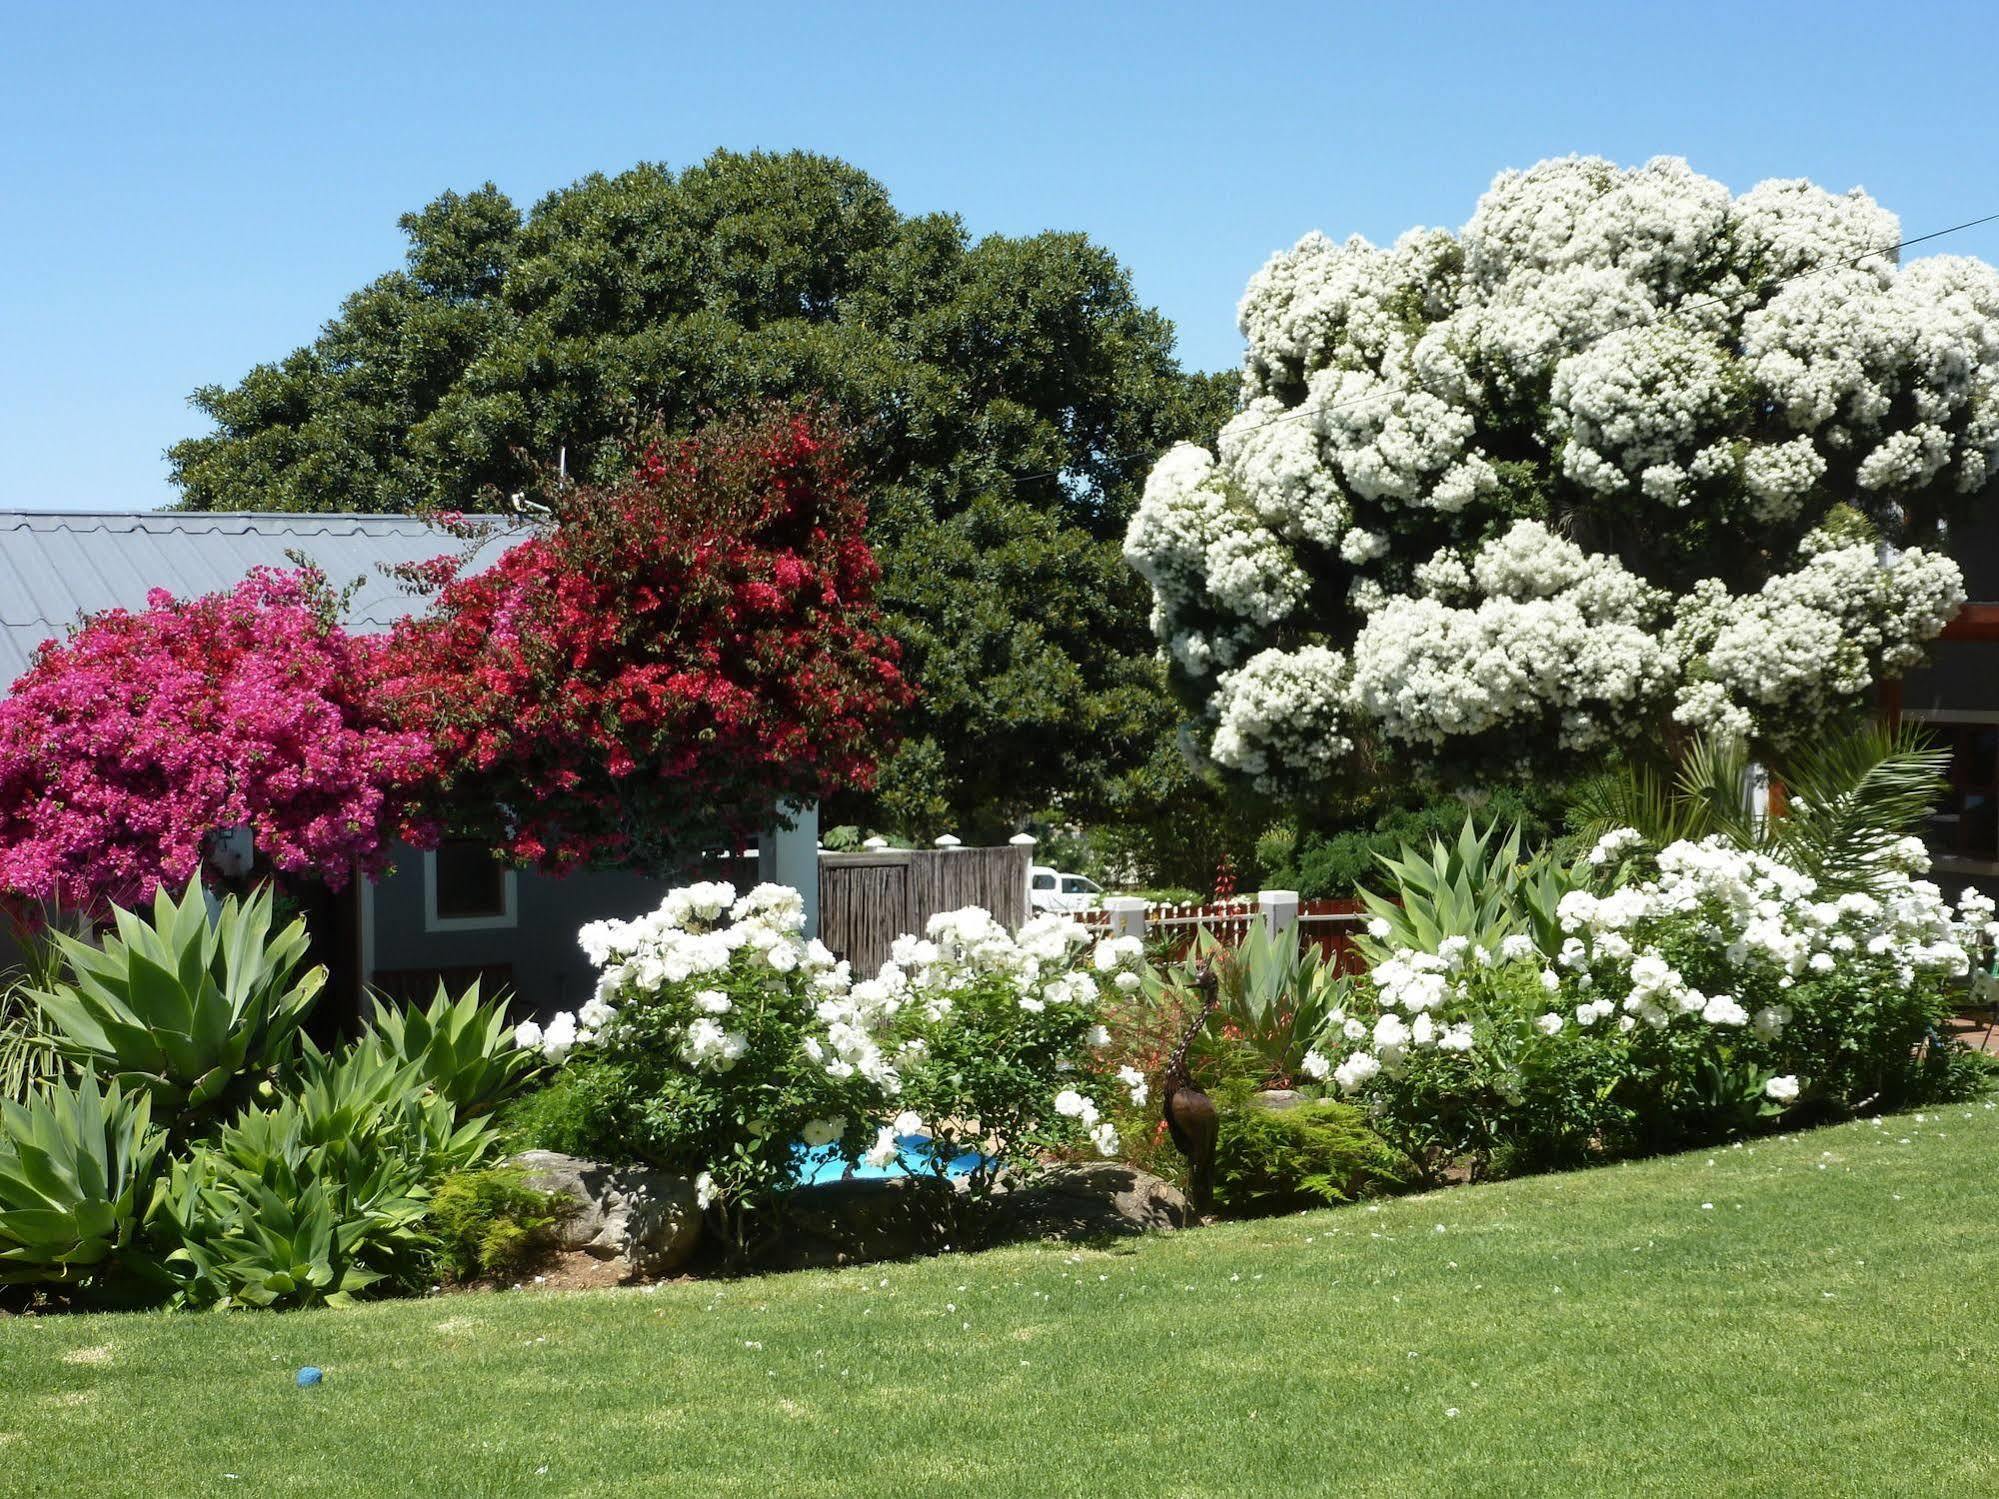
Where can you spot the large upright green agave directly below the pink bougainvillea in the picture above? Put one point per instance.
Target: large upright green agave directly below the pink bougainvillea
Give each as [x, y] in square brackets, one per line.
[195, 1010]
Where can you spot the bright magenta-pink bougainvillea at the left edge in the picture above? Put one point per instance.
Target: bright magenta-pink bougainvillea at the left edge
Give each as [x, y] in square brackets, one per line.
[143, 733]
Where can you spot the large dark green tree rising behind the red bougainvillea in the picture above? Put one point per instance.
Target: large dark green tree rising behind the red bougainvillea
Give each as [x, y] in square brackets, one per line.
[1008, 397]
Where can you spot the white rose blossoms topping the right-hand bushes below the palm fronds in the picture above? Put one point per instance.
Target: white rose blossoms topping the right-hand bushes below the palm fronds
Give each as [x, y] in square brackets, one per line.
[1766, 922]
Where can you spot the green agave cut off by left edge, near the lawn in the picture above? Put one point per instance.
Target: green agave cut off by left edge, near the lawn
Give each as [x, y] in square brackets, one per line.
[77, 1184]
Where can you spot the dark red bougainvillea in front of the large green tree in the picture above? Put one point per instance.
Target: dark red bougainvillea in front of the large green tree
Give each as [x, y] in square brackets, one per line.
[667, 657]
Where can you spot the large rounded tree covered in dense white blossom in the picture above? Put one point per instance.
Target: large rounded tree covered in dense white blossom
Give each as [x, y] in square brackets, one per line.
[1624, 459]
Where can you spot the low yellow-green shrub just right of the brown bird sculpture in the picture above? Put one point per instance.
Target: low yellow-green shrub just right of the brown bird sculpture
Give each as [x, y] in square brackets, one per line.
[1306, 1156]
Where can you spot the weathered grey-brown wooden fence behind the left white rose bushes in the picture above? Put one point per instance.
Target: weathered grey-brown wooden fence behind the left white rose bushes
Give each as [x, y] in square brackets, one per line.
[869, 900]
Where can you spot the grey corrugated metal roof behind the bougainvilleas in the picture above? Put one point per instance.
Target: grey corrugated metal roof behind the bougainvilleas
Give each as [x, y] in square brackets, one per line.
[61, 565]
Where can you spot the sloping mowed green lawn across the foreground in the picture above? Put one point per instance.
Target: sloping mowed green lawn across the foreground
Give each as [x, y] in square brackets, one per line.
[1802, 1316]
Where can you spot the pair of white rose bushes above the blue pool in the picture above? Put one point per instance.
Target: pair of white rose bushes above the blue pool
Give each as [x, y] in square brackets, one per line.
[723, 1044]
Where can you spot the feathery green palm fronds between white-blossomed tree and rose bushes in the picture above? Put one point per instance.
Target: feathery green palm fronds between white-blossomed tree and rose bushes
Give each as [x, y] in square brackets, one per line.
[1850, 800]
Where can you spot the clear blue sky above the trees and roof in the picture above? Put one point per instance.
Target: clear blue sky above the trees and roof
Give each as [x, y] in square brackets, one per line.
[187, 191]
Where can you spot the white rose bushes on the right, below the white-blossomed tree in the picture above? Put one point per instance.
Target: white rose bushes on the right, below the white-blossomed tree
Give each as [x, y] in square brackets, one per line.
[1692, 992]
